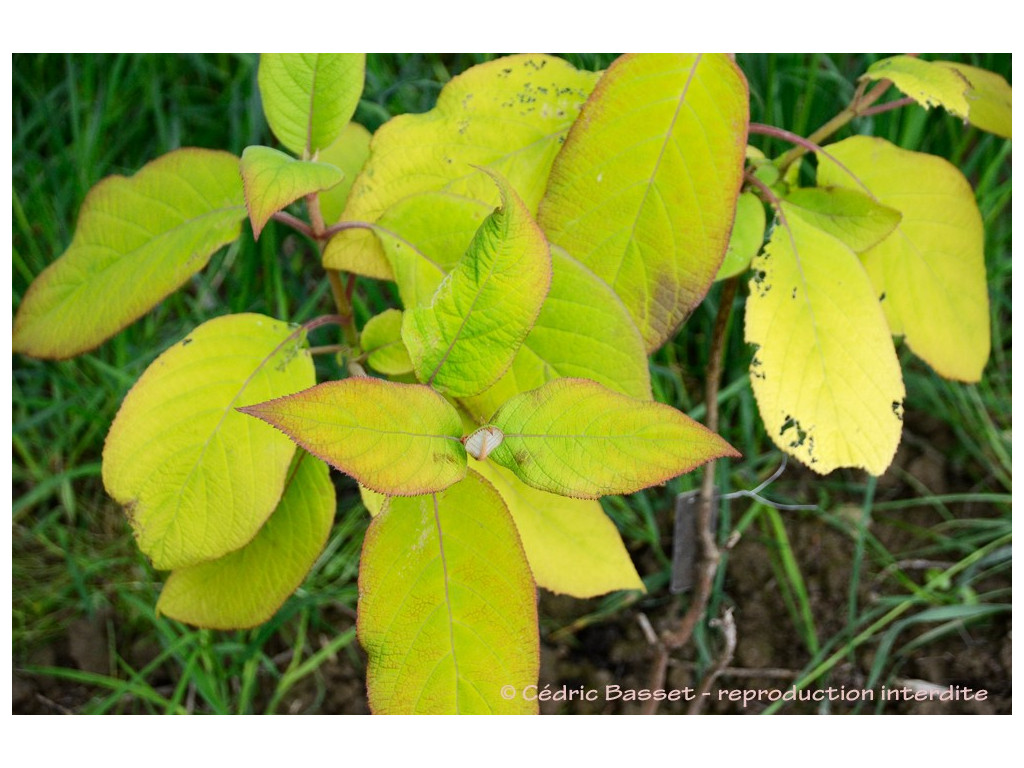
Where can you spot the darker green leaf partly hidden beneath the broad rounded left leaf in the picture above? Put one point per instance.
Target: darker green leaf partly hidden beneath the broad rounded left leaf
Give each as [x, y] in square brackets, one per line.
[246, 587]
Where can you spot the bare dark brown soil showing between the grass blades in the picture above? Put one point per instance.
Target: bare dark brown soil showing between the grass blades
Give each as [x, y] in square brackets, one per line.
[583, 652]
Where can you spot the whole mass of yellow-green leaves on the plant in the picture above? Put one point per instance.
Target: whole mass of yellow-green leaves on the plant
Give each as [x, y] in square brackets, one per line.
[547, 229]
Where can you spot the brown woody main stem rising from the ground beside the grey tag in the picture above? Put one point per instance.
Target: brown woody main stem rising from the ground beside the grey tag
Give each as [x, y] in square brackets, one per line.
[710, 557]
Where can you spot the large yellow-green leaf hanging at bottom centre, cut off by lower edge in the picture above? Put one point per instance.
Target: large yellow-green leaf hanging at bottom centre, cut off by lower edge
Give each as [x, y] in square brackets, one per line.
[448, 608]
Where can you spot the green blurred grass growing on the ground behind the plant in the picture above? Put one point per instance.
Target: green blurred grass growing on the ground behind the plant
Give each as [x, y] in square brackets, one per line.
[926, 564]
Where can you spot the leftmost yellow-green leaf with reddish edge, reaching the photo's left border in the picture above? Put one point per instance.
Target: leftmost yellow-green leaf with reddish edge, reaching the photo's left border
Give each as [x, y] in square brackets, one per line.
[138, 241]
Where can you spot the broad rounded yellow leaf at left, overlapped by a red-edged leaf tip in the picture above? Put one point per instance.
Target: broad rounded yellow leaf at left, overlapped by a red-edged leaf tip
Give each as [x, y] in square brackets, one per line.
[199, 480]
